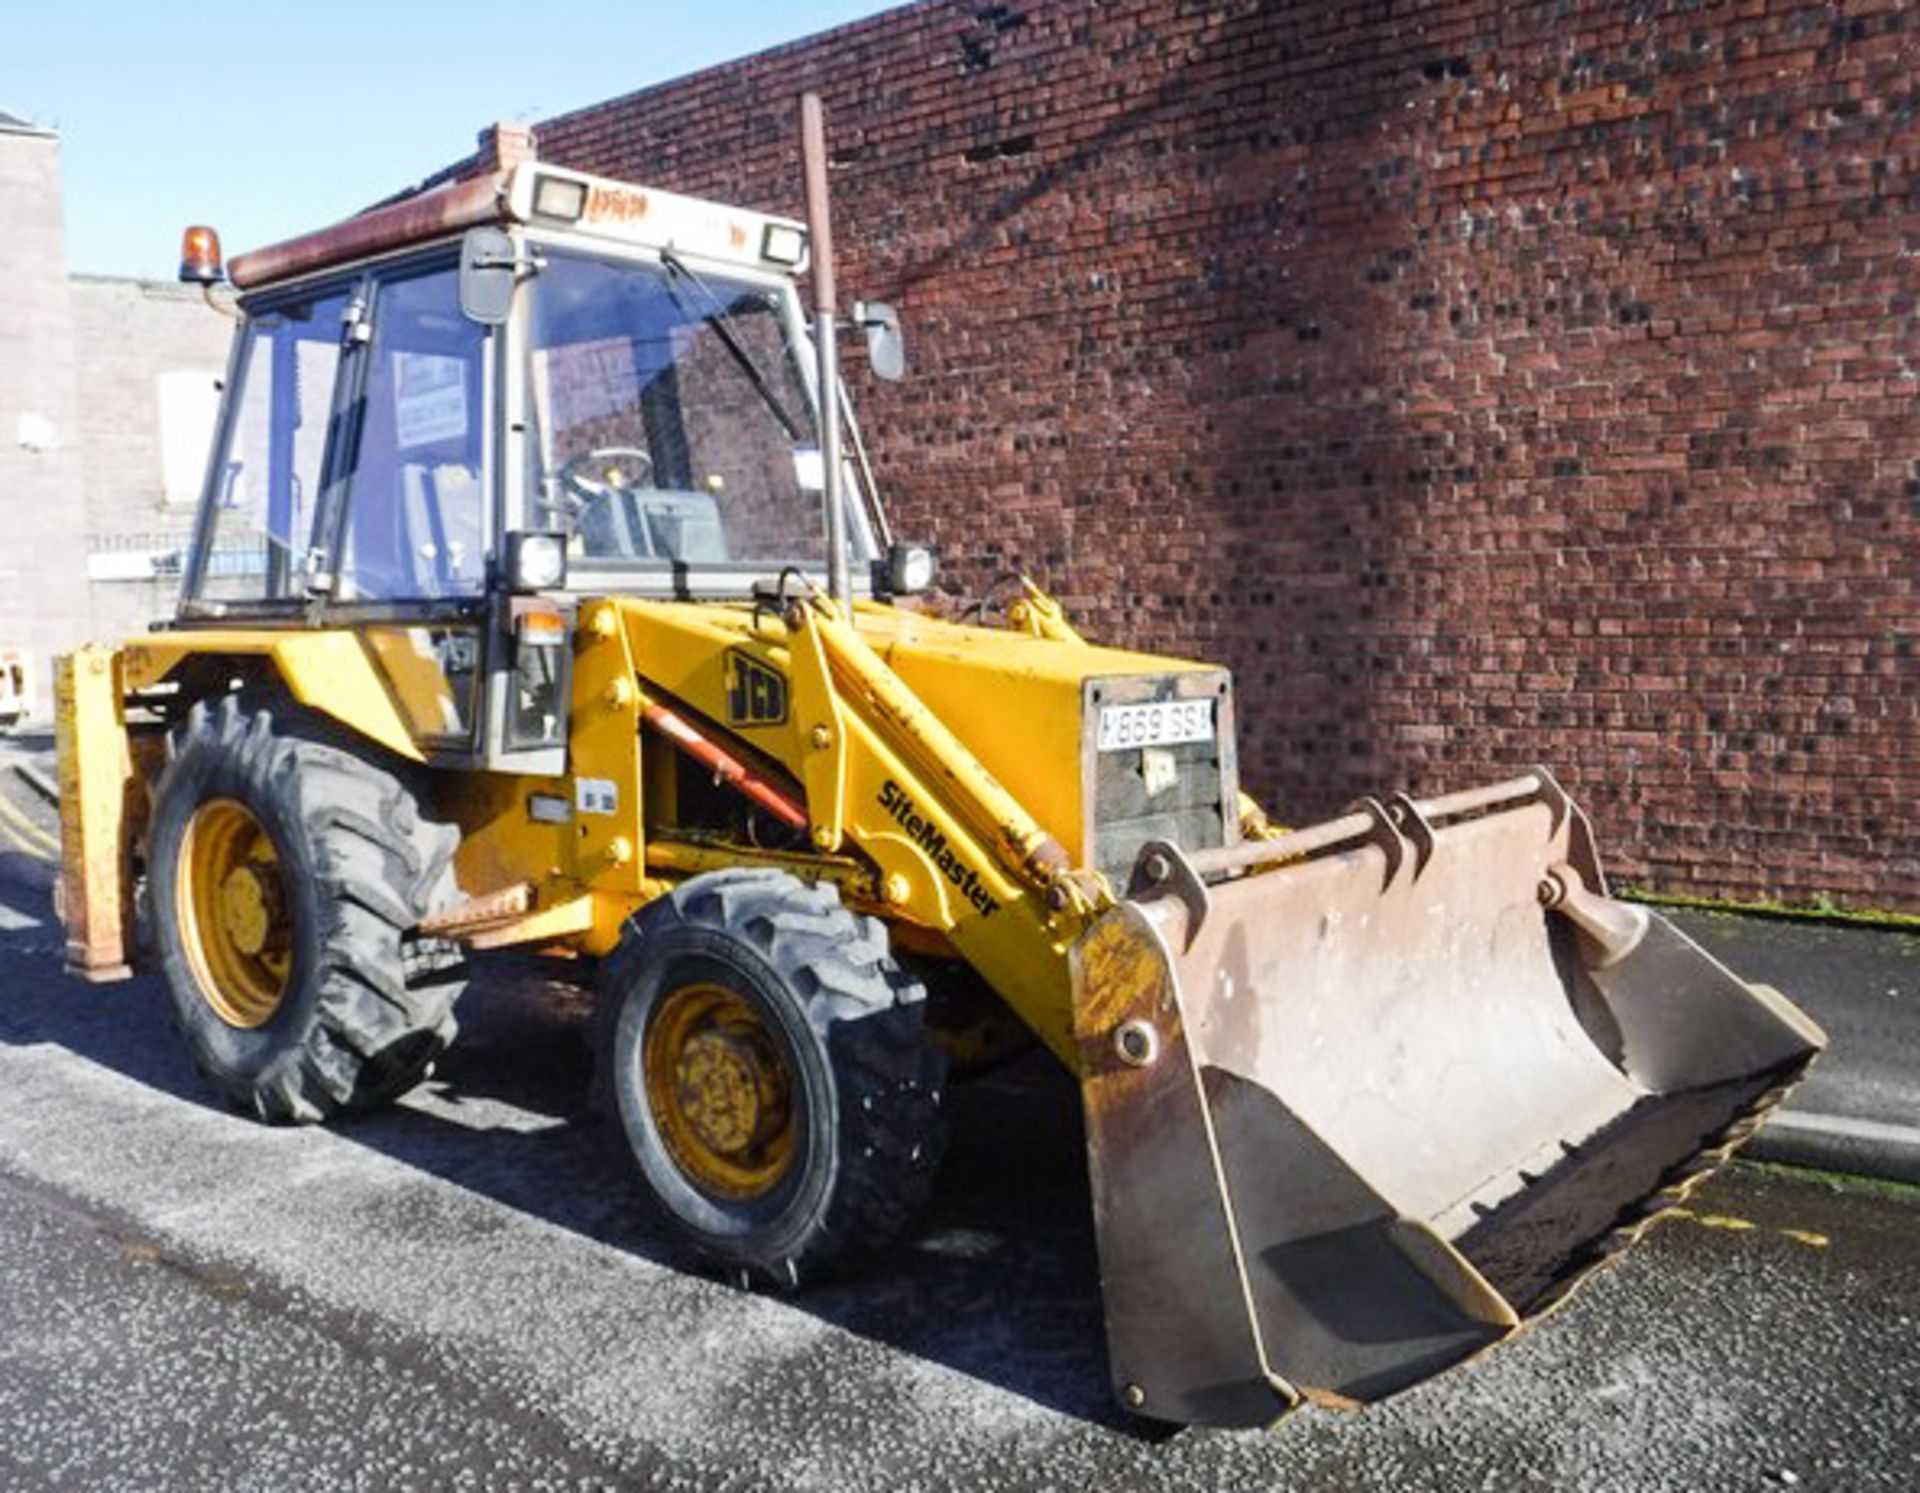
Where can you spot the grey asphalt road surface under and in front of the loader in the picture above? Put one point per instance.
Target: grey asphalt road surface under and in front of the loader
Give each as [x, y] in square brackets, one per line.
[466, 1294]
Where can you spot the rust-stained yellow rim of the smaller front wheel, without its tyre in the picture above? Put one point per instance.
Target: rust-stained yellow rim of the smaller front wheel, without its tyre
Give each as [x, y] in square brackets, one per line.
[719, 1091]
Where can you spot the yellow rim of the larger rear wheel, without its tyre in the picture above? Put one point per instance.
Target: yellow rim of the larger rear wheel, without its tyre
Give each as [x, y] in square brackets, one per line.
[233, 914]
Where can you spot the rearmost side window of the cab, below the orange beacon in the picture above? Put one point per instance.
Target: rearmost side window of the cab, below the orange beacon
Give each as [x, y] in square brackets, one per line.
[268, 477]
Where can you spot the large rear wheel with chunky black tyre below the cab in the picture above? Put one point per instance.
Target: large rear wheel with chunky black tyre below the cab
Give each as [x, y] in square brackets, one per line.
[287, 878]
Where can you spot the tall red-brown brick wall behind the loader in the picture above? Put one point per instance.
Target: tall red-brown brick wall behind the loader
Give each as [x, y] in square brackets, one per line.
[1483, 383]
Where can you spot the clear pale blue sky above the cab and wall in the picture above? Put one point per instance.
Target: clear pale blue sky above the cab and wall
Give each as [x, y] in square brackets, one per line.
[277, 118]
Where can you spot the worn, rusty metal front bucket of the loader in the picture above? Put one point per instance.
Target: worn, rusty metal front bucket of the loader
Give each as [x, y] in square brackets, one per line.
[1366, 1099]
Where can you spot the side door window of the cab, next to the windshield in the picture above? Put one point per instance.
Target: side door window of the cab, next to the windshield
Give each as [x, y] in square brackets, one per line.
[416, 504]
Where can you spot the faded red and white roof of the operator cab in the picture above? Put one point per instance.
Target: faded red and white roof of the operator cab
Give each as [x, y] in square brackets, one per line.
[535, 193]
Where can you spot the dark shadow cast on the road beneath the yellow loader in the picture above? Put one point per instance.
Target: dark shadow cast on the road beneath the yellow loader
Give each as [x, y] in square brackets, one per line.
[1003, 1283]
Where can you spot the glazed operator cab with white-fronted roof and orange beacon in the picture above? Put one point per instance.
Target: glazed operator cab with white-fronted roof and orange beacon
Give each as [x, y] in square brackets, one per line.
[535, 364]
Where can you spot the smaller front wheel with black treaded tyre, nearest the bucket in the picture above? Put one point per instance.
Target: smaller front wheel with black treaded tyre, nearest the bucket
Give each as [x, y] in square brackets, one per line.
[773, 1076]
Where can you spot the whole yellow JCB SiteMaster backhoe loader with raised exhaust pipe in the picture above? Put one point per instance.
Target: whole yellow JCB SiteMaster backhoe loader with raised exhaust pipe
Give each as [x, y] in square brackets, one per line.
[540, 598]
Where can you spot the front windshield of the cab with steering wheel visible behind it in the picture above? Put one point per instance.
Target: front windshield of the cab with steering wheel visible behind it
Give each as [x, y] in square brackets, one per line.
[671, 425]
